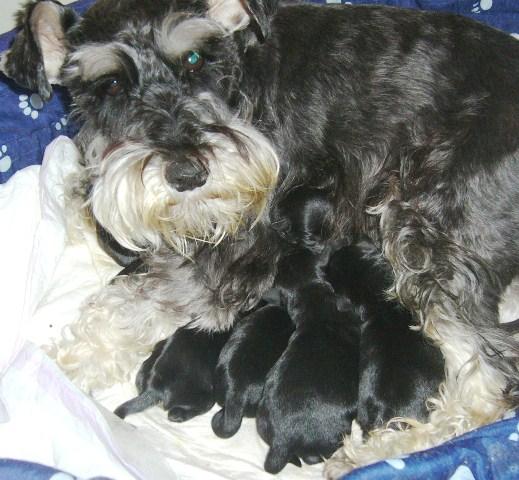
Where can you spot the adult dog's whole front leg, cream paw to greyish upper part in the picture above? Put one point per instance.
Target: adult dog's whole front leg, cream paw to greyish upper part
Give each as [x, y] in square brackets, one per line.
[119, 325]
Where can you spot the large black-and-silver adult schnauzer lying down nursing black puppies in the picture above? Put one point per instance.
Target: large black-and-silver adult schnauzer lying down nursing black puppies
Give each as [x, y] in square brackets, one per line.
[198, 117]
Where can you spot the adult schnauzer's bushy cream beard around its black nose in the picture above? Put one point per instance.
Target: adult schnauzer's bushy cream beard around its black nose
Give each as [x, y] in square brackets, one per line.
[132, 199]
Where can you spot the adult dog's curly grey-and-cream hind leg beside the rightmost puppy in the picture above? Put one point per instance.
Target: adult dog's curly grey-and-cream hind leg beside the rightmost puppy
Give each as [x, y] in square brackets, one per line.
[455, 297]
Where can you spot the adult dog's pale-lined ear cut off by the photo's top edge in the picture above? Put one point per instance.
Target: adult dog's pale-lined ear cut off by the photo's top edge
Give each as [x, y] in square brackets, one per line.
[236, 15]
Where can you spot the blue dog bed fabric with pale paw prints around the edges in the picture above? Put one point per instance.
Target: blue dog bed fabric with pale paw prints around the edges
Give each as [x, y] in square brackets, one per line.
[491, 452]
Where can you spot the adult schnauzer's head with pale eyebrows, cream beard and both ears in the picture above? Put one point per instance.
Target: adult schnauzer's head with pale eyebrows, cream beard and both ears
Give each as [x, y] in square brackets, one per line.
[169, 147]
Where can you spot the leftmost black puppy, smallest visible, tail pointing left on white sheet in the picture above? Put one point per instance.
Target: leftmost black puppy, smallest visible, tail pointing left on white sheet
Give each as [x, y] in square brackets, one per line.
[179, 374]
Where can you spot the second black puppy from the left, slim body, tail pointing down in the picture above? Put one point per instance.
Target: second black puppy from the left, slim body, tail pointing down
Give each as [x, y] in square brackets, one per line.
[256, 343]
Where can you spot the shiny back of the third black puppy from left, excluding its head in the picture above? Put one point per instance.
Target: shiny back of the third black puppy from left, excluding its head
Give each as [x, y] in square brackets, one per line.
[310, 395]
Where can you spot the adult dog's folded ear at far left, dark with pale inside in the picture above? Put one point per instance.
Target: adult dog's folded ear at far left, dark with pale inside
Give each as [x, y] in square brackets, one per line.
[39, 49]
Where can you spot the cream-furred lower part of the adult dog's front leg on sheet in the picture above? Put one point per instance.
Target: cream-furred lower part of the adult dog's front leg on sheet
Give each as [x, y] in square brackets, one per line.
[116, 328]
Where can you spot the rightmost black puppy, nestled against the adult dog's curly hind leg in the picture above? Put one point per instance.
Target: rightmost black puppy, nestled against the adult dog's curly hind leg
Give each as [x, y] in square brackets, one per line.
[399, 369]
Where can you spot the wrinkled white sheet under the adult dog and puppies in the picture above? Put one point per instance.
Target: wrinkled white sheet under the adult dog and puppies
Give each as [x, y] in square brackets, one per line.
[43, 417]
